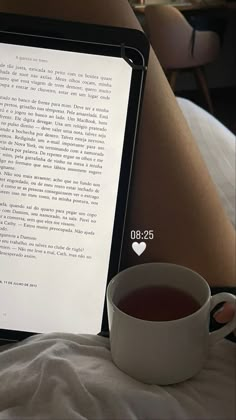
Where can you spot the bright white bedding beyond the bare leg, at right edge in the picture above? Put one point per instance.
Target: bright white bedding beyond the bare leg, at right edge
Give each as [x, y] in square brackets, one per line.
[217, 145]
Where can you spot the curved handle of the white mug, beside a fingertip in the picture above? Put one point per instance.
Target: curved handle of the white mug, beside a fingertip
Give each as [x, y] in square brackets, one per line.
[230, 326]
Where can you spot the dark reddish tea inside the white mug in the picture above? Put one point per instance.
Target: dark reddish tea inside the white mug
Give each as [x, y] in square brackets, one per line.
[158, 303]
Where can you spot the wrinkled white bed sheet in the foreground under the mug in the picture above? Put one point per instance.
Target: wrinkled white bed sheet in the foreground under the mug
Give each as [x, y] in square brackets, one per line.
[66, 376]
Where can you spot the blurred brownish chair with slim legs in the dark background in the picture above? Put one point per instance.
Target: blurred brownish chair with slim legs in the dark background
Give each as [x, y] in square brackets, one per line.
[179, 46]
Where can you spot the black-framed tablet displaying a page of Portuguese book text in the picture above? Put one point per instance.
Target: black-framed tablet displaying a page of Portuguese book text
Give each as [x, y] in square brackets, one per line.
[70, 98]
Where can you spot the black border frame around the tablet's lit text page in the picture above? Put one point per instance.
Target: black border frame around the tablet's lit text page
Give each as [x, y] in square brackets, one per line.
[129, 44]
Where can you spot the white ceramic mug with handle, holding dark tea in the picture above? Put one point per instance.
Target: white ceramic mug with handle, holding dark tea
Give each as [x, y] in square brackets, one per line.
[163, 352]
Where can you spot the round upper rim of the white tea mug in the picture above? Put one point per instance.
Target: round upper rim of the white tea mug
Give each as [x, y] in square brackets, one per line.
[115, 307]
